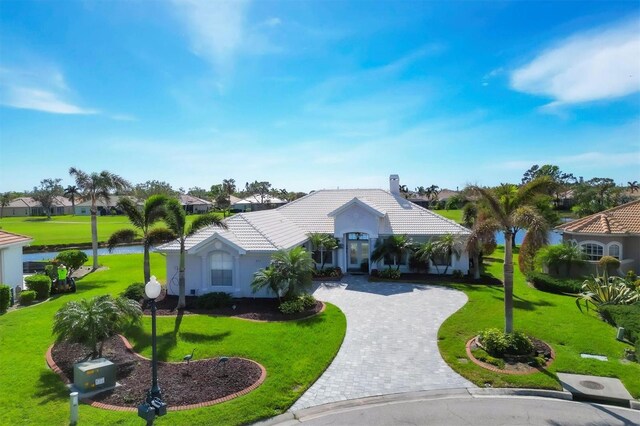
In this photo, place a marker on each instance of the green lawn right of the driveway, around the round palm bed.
(550, 317)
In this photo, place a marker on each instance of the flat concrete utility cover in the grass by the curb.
(594, 387)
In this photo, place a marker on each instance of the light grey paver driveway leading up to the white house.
(391, 341)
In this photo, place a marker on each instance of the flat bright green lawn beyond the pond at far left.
(66, 229)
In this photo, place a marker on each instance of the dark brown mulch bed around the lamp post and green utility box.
(181, 383)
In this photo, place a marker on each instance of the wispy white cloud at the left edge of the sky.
(40, 89)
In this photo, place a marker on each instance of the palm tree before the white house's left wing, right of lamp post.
(176, 220)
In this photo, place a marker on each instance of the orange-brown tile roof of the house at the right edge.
(624, 219)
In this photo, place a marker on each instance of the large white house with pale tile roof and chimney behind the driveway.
(225, 260)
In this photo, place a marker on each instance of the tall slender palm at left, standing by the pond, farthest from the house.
(96, 186)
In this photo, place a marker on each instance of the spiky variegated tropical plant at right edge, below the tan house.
(605, 290)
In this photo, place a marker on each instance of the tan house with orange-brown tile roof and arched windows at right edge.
(614, 232)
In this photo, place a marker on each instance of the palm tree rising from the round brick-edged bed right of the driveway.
(511, 208)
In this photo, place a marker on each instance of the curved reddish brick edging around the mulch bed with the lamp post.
(263, 375)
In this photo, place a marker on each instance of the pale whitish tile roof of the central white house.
(288, 225)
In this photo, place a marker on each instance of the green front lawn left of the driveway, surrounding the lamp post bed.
(294, 354)
